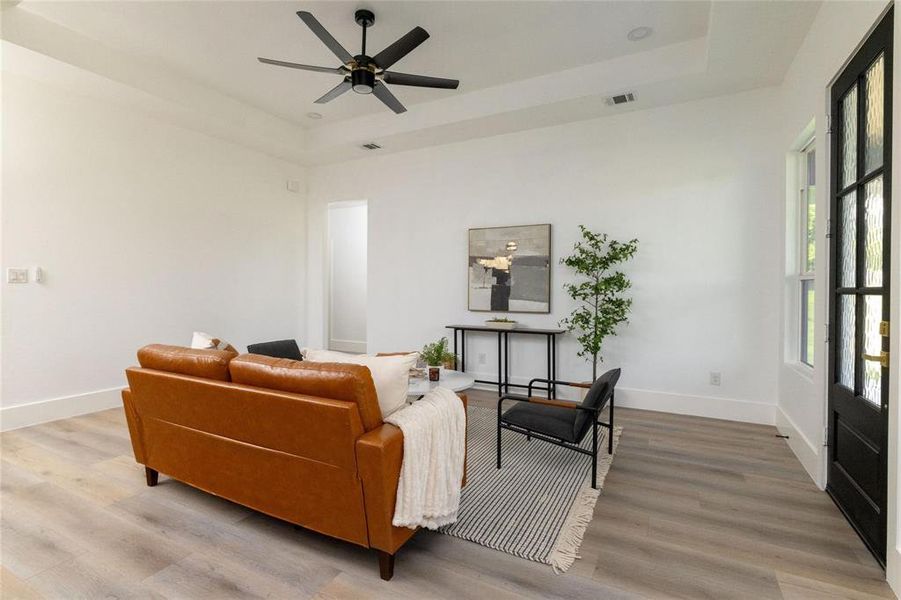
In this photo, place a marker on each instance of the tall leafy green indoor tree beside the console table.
(602, 304)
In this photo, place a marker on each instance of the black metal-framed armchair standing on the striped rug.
(560, 422)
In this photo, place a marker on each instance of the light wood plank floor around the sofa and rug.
(692, 508)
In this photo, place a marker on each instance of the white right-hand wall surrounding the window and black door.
(838, 29)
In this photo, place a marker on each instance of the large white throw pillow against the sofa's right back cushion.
(390, 374)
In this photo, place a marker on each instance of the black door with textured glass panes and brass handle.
(860, 197)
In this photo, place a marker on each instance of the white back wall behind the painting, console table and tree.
(694, 183)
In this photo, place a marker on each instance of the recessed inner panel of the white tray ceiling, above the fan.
(481, 43)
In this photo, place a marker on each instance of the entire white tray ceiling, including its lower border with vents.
(521, 64)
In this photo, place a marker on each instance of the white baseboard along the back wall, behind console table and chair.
(683, 404)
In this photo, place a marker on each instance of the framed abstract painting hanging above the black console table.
(510, 269)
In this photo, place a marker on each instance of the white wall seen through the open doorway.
(347, 275)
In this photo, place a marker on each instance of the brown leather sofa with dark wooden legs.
(303, 442)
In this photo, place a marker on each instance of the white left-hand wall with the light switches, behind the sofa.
(146, 232)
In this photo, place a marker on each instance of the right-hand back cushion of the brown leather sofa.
(346, 382)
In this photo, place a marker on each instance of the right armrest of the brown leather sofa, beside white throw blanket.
(380, 454)
